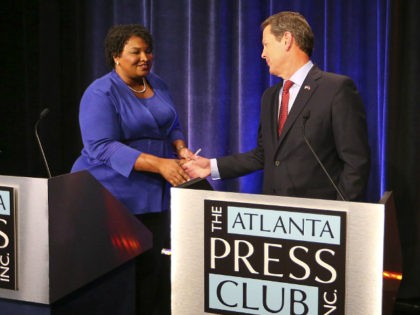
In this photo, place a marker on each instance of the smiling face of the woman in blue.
(135, 60)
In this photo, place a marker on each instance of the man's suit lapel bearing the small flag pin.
(308, 87)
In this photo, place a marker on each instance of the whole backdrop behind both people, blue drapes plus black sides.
(209, 54)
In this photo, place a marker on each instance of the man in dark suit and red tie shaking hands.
(325, 108)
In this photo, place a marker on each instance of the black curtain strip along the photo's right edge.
(404, 137)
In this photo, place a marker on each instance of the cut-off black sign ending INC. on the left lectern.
(7, 239)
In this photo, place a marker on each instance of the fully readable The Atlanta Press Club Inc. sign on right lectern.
(273, 260)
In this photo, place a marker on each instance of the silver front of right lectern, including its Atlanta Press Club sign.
(247, 270)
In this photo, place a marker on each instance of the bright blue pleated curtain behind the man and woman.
(209, 53)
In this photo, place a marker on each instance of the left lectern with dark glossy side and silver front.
(59, 235)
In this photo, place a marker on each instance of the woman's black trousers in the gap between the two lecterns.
(153, 271)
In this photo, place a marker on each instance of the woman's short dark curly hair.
(118, 36)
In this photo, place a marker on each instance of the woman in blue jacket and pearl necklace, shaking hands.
(130, 131)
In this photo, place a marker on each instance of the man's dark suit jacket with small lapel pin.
(335, 127)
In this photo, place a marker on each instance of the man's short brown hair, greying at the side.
(294, 23)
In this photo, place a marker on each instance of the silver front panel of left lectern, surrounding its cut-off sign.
(31, 238)
